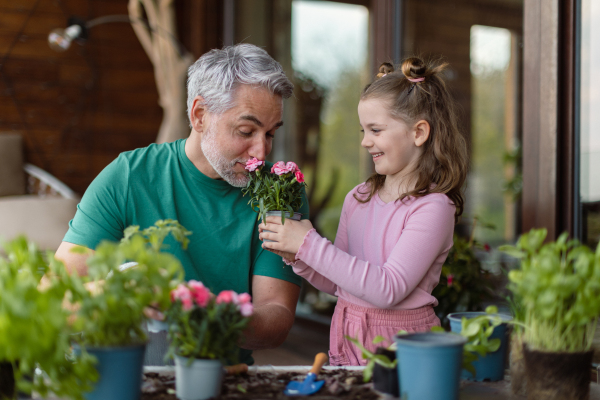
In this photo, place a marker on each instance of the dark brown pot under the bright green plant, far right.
(557, 376)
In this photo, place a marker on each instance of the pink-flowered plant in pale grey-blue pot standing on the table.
(204, 332)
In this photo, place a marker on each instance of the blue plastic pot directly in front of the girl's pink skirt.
(429, 365)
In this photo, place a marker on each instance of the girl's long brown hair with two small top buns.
(442, 167)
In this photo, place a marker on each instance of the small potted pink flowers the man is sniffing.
(278, 192)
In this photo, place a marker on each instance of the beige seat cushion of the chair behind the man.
(44, 220)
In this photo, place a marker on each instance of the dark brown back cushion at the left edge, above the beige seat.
(12, 175)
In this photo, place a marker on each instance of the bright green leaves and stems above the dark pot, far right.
(558, 288)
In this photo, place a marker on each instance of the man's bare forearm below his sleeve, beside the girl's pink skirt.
(274, 303)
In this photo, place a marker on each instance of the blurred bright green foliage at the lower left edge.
(34, 328)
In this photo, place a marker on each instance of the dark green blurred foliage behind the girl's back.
(464, 284)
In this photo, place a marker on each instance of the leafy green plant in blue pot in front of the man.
(111, 316)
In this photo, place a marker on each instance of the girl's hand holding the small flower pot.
(287, 237)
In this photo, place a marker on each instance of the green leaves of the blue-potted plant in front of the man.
(113, 315)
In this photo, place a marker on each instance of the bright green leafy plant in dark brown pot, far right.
(558, 286)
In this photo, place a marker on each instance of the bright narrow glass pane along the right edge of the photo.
(590, 123)
